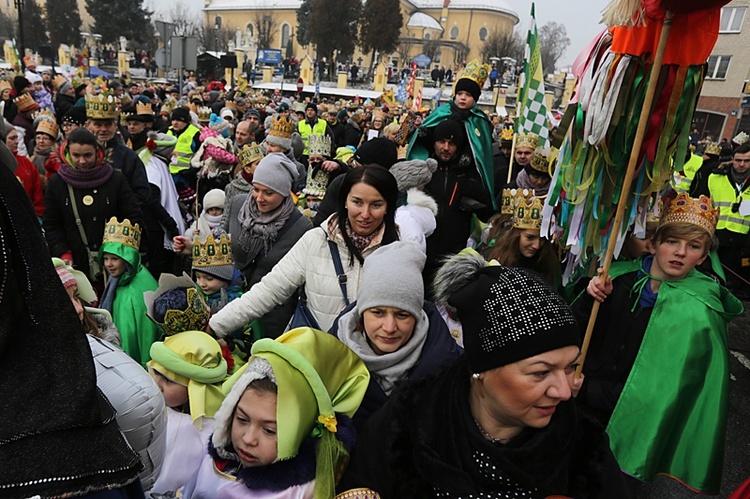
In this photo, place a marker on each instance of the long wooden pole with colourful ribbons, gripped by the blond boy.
(629, 174)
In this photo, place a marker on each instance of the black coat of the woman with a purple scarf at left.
(114, 198)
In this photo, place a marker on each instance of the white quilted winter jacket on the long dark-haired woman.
(308, 263)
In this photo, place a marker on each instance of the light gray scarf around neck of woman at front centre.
(390, 368)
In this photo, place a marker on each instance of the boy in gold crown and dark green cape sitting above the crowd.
(477, 127)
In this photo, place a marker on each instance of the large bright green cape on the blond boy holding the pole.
(671, 415)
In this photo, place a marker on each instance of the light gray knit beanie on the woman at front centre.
(392, 277)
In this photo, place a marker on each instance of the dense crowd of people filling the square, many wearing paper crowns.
(296, 298)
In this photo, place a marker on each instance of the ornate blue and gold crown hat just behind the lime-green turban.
(195, 315)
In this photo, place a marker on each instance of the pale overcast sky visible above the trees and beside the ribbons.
(580, 17)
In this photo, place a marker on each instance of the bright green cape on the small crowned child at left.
(129, 308)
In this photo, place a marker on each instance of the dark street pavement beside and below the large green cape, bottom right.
(737, 454)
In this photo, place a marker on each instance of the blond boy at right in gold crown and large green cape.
(657, 370)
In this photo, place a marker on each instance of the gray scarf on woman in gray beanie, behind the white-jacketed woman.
(259, 230)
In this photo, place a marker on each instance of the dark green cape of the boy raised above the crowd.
(479, 133)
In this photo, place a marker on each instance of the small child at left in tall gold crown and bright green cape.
(126, 282)
